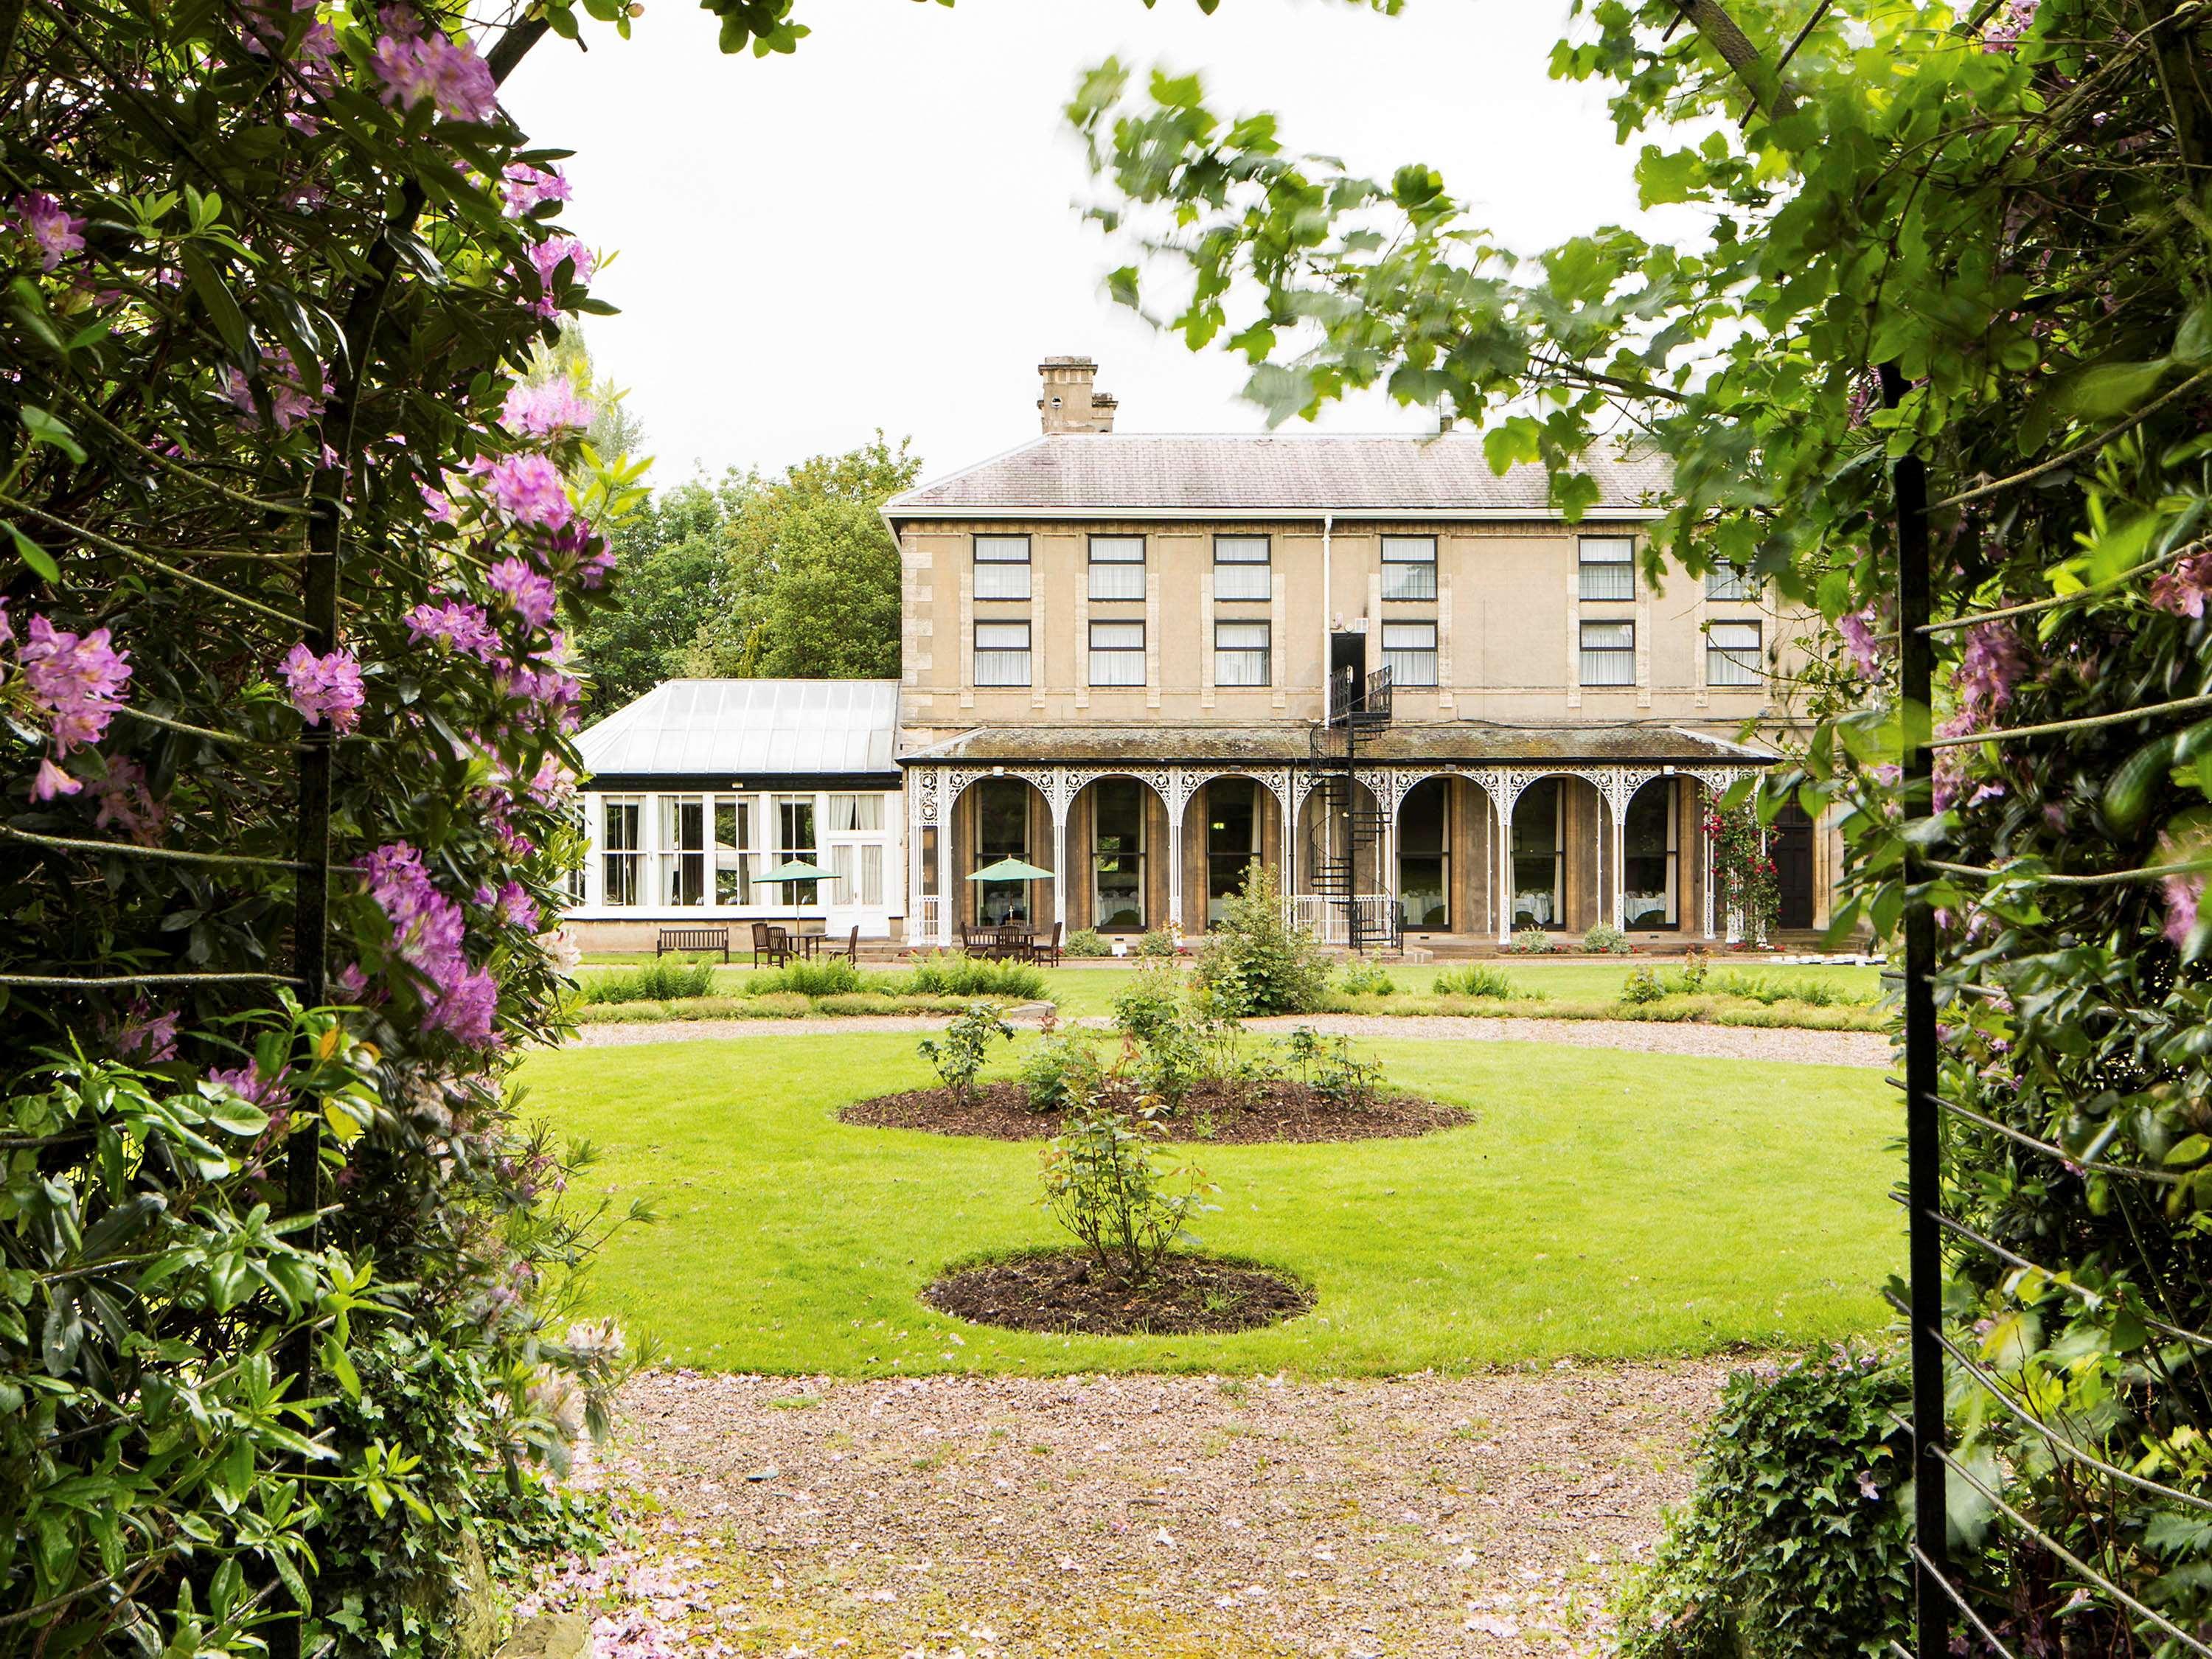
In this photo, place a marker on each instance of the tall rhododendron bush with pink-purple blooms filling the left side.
(286, 811)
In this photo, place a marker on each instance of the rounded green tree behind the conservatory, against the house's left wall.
(813, 572)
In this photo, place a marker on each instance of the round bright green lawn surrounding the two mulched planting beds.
(1605, 1204)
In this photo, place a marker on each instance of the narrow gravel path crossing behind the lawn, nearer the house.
(1638, 1036)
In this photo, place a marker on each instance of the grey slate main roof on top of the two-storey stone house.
(1258, 477)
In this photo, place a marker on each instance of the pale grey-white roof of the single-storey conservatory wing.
(749, 729)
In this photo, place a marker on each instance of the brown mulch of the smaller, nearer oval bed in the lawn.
(1067, 1293)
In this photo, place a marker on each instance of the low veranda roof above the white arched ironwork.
(1430, 742)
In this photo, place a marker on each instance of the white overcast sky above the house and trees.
(881, 231)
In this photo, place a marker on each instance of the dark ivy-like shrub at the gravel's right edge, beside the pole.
(1795, 1543)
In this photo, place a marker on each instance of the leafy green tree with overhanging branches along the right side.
(1948, 302)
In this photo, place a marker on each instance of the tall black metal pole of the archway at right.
(1923, 1125)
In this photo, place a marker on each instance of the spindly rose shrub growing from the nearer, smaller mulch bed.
(1107, 1185)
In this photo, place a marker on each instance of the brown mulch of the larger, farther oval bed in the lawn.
(1284, 1112)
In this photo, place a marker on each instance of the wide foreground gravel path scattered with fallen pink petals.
(1147, 1516)
